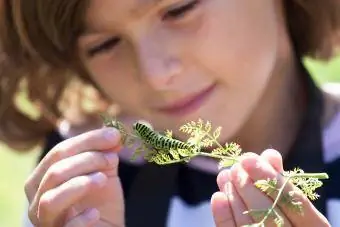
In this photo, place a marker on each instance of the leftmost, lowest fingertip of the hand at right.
(222, 211)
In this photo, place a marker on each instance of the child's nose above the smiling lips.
(157, 63)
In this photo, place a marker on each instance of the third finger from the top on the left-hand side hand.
(56, 201)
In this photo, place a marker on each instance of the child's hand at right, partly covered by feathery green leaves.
(238, 194)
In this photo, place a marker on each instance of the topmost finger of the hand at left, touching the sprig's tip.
(100, 139)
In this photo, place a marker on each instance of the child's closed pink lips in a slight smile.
(189, 103)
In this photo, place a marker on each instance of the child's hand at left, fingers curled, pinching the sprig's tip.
(77, 183)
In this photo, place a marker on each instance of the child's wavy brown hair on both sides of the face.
(38, 51)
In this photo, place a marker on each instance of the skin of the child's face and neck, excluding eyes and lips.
(159, 56)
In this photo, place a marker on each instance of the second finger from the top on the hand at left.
(80, 164)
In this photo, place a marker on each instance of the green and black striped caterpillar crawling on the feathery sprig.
(157, 140)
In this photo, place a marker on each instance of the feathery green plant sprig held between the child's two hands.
(228, 155)
